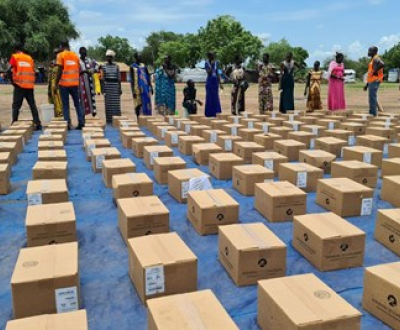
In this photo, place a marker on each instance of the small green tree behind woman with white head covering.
(121, 46)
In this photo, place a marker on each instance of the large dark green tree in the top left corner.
(40, 25)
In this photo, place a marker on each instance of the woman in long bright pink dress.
(336, 97)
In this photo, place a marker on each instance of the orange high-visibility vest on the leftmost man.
(24, 72)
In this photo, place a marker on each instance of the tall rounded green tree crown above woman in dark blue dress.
(228, 38)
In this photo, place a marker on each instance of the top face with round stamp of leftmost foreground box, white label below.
(46, 262)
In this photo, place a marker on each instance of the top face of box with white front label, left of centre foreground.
(161, 249)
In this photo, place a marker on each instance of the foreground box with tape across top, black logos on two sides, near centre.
(251, 252)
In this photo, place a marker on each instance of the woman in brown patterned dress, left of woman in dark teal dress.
(265, 77)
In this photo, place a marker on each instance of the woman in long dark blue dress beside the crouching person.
(213, 83)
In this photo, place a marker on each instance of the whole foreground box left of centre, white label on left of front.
(161, 265)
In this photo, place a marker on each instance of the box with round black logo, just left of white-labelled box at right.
(280, 201)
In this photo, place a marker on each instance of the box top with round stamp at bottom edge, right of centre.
(307, 300)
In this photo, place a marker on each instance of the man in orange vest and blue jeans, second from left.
(68, 82)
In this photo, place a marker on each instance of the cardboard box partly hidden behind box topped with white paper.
(178, 182)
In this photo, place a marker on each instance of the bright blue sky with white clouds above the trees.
(320, 26)
